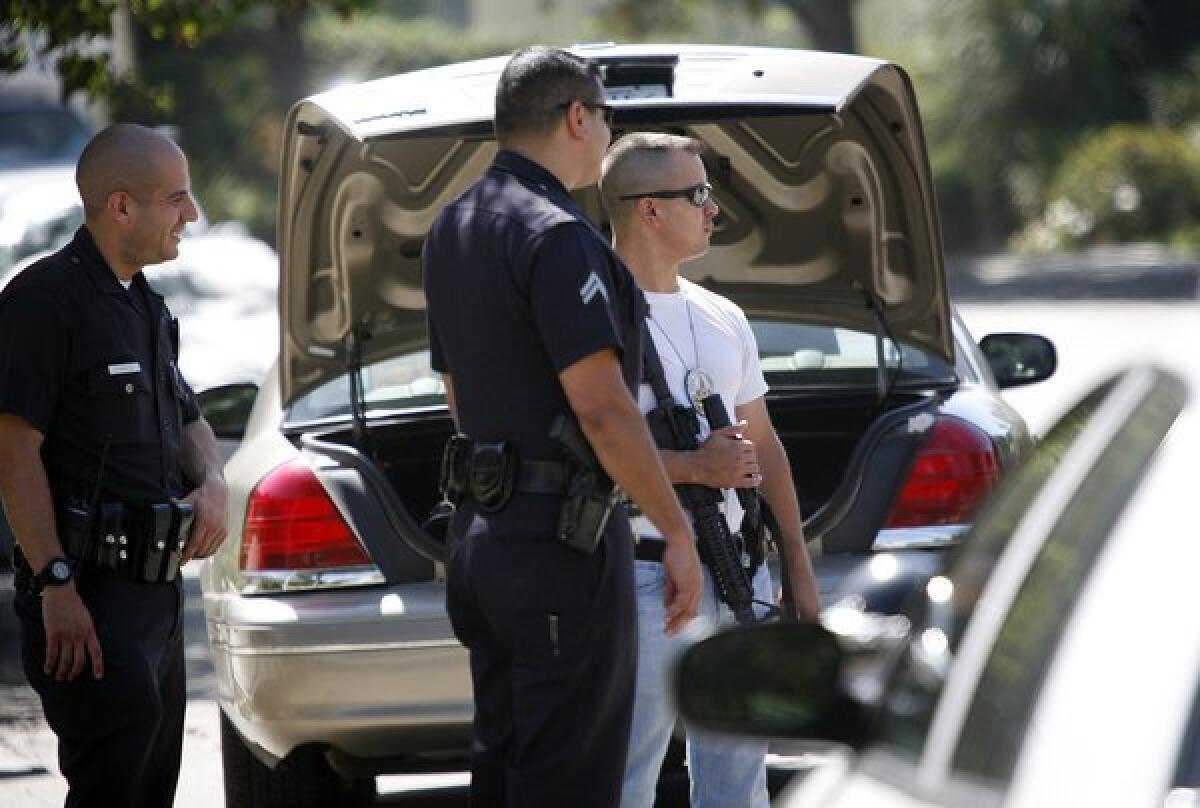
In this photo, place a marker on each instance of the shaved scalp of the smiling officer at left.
(122, 158)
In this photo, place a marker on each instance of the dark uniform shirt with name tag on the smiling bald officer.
(89, 363)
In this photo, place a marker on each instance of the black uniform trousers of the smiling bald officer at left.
(119, 738)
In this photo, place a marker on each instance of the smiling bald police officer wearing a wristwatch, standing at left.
(110, 476)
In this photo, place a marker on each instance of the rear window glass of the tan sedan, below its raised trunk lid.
(793, 355)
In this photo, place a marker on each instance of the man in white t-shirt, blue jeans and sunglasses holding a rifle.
(656, 190)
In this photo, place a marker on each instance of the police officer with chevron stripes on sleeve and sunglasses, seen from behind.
(532, 319)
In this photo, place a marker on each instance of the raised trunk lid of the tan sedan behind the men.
(818, 163)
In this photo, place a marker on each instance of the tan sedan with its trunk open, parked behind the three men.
(326, 607)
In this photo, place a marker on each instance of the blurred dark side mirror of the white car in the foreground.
(775, 680)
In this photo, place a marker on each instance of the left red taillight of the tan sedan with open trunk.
(292, 524)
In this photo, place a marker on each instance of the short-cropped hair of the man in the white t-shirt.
(640, 163)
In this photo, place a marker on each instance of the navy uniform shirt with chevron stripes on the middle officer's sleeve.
(520, 286)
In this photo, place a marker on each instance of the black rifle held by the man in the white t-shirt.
(679, 428)
